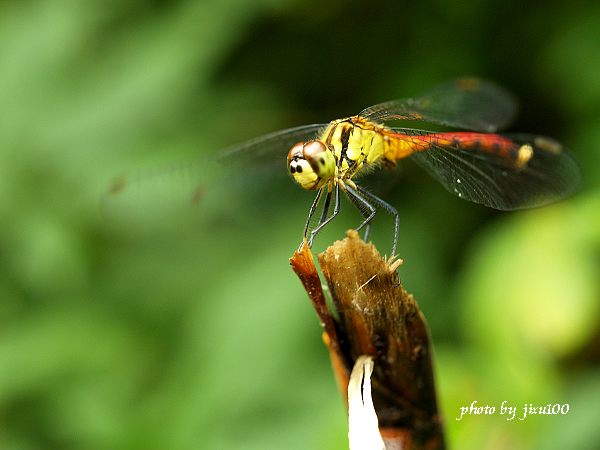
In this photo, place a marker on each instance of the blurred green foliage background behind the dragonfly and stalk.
(186, 330)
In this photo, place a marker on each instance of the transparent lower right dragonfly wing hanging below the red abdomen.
(491, 180)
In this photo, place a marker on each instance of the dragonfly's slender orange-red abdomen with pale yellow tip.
(402, 144)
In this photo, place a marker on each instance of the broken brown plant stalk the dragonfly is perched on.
(373, 315)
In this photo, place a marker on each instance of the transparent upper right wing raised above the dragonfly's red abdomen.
(466, 103)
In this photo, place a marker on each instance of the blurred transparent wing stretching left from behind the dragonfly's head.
(238, 168)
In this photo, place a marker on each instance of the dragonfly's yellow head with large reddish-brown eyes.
(311, 164)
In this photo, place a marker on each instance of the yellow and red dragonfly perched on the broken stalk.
(473, 161)
